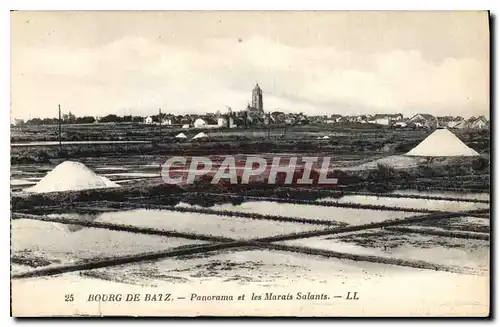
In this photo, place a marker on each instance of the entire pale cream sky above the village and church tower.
(98, 63)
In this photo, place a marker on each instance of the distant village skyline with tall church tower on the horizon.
(254, 116)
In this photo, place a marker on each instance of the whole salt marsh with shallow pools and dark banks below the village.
(427, 221)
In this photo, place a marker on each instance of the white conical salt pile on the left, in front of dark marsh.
(71, 176)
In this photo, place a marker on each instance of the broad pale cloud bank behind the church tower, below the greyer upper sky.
(139, 75)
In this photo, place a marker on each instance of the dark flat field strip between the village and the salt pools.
(365, 140)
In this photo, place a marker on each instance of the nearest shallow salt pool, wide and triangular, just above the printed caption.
(247, 266)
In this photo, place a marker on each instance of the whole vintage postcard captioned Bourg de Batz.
(250, 163)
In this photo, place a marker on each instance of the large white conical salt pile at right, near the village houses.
(442, 143)
